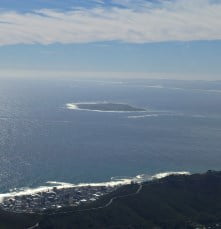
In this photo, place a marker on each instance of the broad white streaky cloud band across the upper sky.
(177, 20)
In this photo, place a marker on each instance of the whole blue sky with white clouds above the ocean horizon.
(178, 39)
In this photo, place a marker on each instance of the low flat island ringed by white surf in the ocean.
(104, 106)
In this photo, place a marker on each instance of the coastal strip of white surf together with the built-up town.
(60, 194)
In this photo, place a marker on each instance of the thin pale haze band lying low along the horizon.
(44, 74)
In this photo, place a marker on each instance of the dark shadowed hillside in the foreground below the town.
(176, 201)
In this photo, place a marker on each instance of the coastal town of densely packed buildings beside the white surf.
(54, 198)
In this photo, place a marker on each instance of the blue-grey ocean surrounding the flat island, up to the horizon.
(42, 139)
